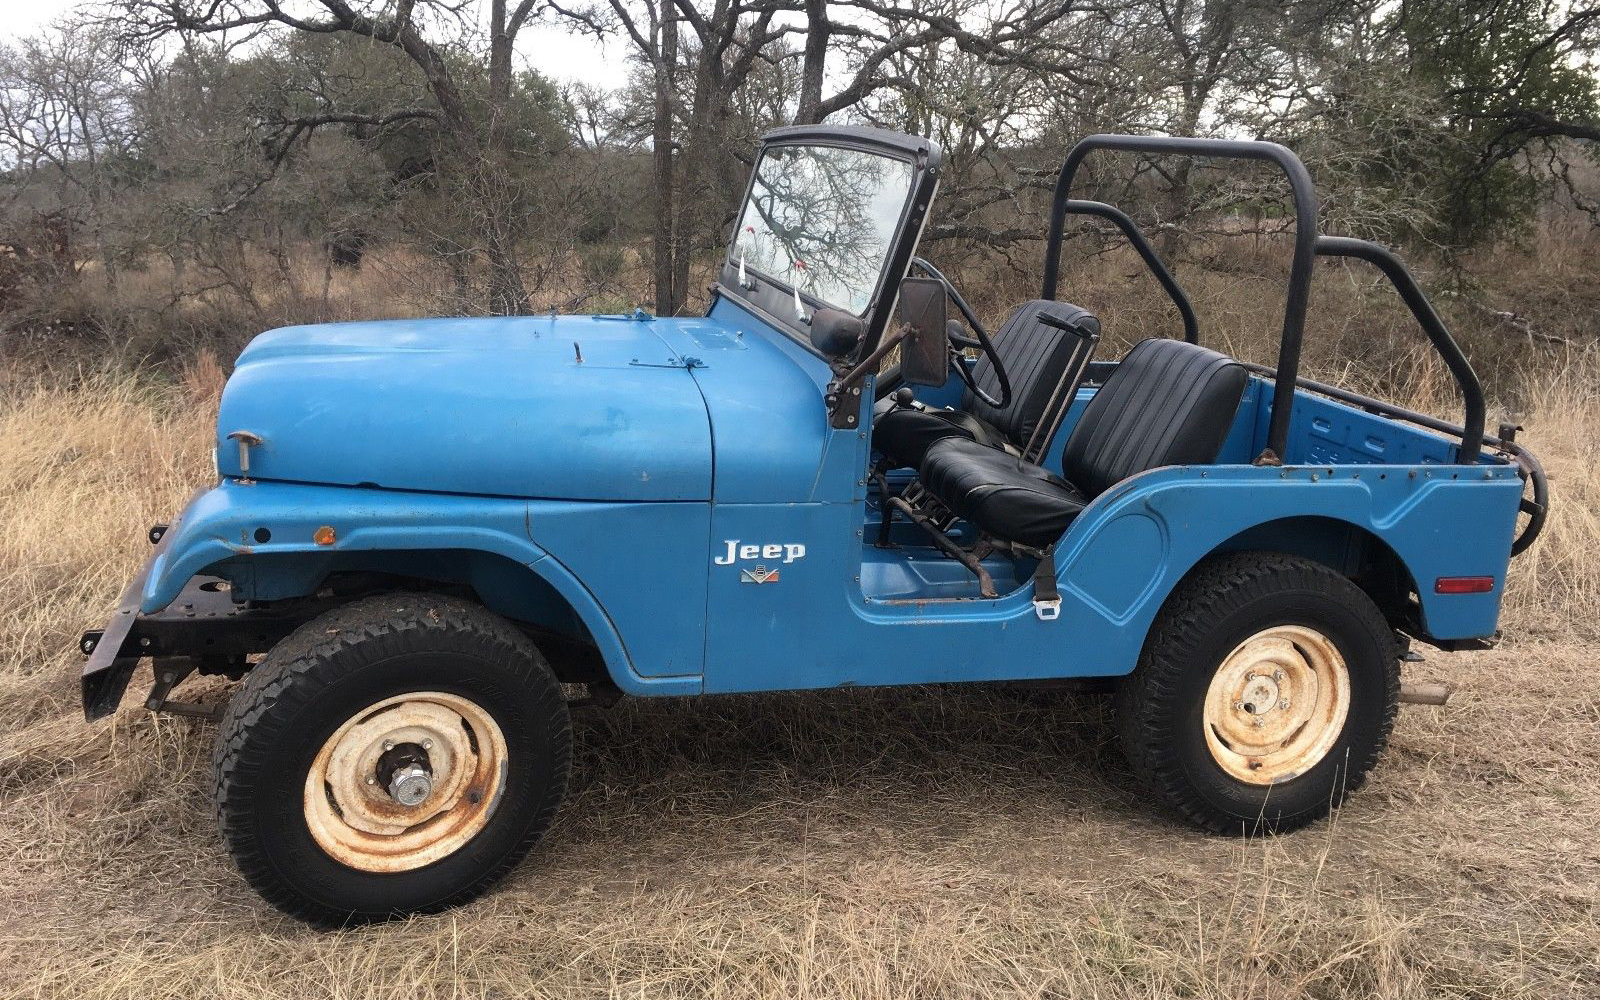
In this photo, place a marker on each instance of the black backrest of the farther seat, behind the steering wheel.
(1036, 356)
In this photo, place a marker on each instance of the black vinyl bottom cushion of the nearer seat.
(1001, 494)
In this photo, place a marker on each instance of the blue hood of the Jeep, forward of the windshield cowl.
(542, 407)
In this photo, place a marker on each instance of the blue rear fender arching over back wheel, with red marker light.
(1129, 550)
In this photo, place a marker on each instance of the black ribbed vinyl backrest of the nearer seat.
(1167, 404)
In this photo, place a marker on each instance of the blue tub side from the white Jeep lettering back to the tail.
(1116, 567)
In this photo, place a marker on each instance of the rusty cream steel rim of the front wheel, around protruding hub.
(351, 812)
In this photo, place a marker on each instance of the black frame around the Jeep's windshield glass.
(772, 298)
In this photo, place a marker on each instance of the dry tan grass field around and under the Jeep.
(932, 842)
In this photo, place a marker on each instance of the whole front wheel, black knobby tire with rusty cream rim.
(396, 756)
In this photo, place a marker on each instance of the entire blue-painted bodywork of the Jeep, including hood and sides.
(602, 498)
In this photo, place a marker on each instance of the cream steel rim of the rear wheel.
(1278, 705)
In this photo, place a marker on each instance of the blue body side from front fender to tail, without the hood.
(670, 580)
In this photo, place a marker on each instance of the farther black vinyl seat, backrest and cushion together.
(1034, 356)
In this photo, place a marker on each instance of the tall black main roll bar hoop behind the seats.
(1305, 196)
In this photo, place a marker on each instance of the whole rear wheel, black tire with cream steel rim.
(1265, 695)
